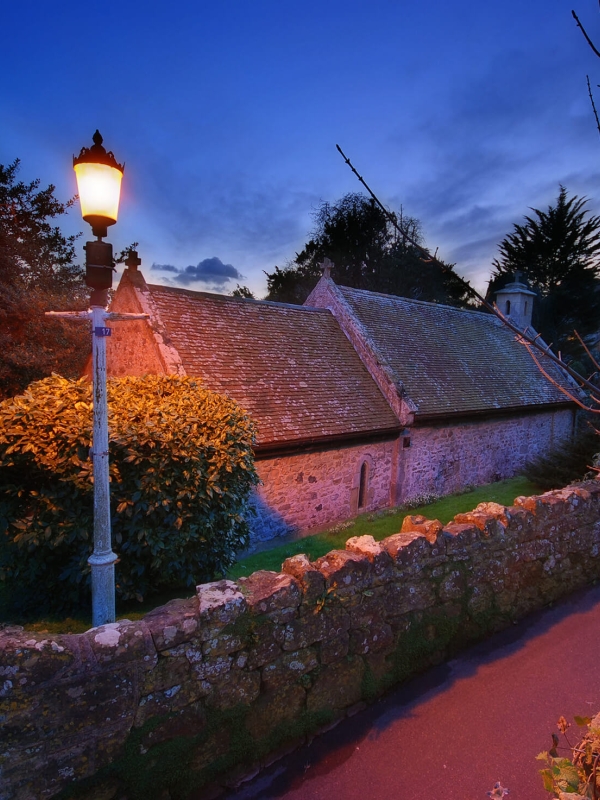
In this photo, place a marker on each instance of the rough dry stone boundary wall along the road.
(241, 671)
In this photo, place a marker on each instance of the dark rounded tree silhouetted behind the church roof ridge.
(368, 253)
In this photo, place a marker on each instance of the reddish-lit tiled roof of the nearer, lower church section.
(290, 367)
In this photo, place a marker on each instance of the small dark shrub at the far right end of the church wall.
(565, 463)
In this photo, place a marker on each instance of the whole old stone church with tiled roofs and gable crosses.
(362, 400)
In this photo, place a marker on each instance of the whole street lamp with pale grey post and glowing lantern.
(99, 182)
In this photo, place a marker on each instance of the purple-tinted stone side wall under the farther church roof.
(446, 458)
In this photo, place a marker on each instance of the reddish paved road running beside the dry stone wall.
(452, 733)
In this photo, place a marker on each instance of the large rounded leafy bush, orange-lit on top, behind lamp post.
(181, 470)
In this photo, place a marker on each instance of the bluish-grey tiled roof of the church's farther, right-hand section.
(452, 360)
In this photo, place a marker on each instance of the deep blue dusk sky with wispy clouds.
(227, 115)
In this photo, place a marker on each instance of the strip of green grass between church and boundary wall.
(379, 525)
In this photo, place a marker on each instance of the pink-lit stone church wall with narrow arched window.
(315, 489)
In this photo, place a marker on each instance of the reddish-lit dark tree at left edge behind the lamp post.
(37, 274)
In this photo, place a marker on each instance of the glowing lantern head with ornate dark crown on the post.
(99, 185)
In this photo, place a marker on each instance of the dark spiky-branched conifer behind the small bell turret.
(557, 251)
